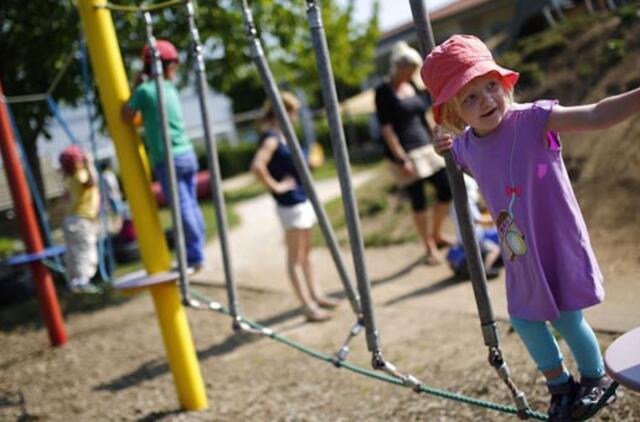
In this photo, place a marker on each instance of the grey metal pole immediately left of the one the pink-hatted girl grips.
(339, 144)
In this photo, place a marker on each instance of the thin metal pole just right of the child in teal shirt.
(214, 166)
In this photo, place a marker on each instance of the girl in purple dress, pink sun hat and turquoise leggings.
(514, 153)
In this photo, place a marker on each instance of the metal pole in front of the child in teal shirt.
(174, 201)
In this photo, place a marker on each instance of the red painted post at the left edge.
(29, 230)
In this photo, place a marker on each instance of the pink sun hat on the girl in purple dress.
(455, 63)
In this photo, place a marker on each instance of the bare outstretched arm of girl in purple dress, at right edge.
(601, 115)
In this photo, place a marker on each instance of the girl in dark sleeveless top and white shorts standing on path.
(273, 166)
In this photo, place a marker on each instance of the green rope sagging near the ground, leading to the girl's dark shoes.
(386, 378)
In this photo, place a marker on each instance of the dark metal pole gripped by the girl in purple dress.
(472, 251)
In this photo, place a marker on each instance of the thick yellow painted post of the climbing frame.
(113, 87)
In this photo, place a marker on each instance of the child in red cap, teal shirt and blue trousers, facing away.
(145, 101)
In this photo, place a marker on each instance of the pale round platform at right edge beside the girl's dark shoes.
(622, 360)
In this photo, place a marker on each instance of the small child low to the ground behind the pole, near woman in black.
(486, 234)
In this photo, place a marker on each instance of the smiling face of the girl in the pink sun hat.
(483, 103)
